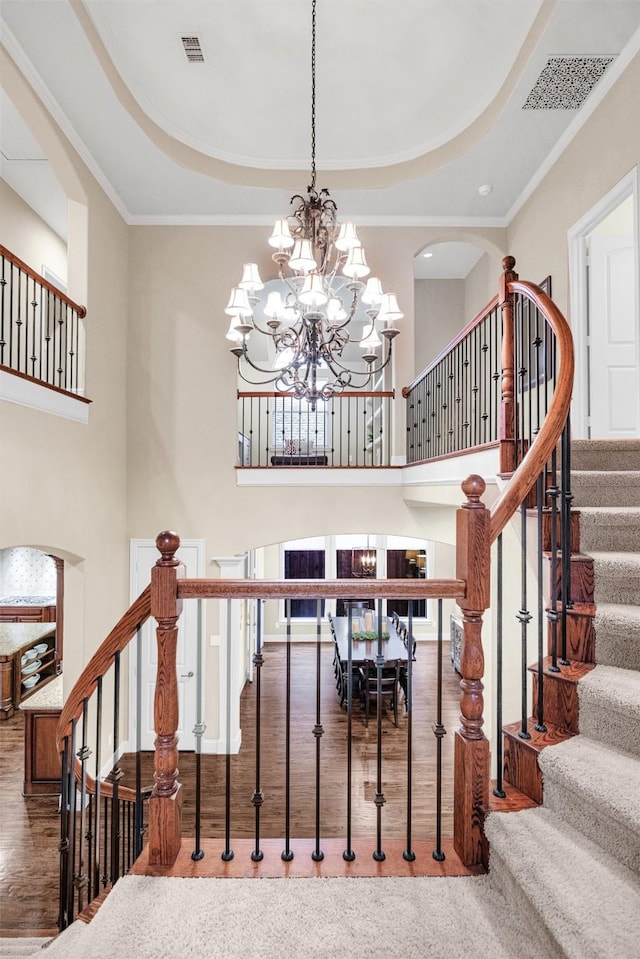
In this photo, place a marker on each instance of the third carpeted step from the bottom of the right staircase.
(609, 700)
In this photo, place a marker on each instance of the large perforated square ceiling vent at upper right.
(566, 82)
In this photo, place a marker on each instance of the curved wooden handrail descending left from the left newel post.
(117, 640)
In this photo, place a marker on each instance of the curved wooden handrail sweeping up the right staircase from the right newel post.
(538, 453)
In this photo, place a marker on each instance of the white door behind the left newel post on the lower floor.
(143, 557)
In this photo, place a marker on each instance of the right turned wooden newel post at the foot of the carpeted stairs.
(471, 764)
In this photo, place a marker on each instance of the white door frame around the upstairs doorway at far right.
(579, 294)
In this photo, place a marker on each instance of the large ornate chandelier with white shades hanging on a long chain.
(322, 269)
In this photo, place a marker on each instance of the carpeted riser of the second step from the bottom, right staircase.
(593, 822)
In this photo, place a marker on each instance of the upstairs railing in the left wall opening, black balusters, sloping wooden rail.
(41, 334)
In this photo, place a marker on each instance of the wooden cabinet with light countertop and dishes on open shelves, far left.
(27, 651)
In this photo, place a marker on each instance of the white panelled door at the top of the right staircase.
(614, 375)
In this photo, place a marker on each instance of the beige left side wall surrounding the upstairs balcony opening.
(63, 484)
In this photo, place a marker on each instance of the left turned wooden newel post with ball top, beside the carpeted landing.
(165, 804)
